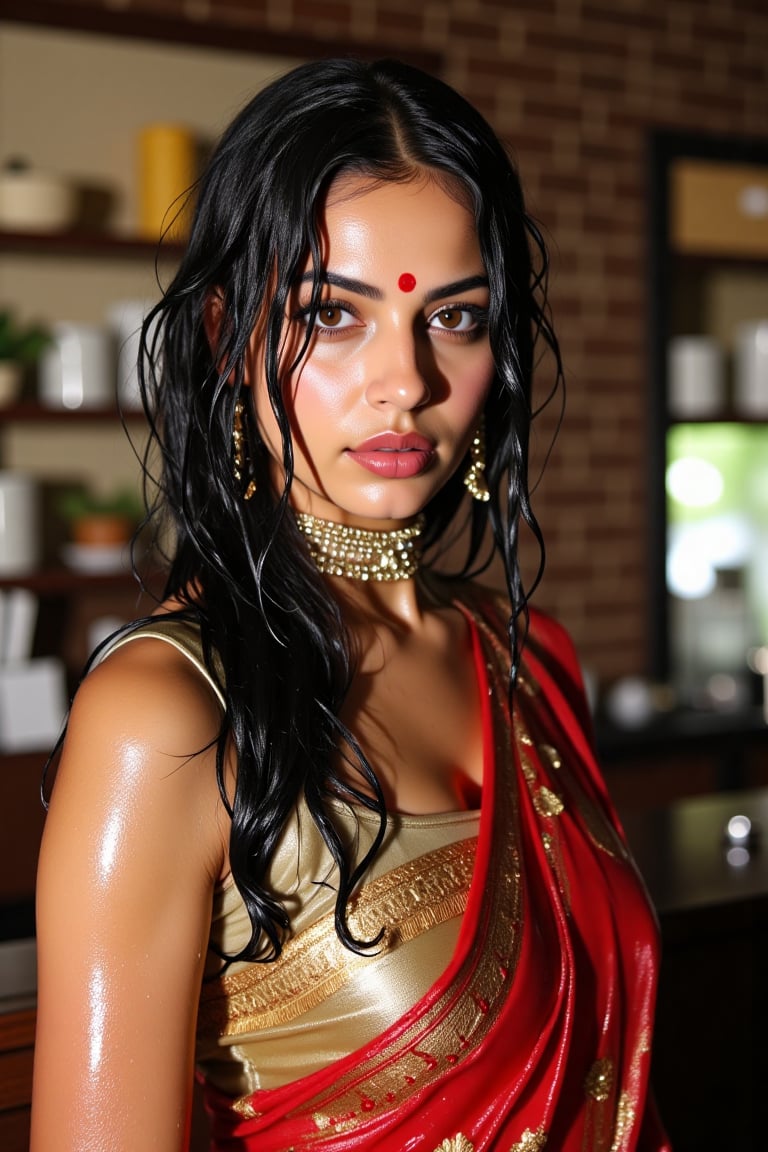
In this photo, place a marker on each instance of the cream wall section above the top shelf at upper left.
(75, 103)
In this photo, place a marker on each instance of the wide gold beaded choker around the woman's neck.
(361, 554)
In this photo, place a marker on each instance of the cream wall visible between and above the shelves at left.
(74, 104)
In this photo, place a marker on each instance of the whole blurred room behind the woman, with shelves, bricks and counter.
(641, 130)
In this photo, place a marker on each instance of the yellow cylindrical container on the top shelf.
(168, 163)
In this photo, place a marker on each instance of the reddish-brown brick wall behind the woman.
(574, 87)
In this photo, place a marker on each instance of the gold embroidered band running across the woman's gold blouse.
(409, 900)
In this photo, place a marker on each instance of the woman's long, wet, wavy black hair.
(241, 569)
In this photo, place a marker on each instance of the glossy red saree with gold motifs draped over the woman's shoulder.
(538, 1034)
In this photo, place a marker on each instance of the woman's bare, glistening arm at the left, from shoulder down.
(134, 844)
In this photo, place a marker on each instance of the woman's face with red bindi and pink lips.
(385, 403)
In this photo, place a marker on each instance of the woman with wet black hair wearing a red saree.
(329, 825)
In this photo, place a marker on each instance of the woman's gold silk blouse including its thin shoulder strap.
(262, 1026)
